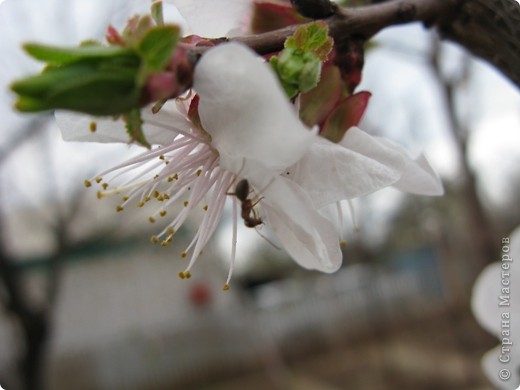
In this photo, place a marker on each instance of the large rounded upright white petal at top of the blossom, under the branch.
(246, 112)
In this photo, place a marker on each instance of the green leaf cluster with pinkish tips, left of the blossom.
(98, 79)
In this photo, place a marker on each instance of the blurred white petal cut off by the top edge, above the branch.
(213, 18)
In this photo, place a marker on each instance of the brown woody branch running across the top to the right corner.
(489, 29)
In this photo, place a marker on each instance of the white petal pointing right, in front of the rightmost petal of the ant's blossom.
(330, 172)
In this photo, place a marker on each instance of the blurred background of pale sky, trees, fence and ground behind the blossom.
(89, 303)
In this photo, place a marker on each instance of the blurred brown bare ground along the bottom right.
(439, 352)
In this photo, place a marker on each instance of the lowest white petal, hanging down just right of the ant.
(310, 239)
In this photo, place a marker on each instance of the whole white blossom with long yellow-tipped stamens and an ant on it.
(251, 132)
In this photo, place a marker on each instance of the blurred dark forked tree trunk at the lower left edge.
(33, 320)
